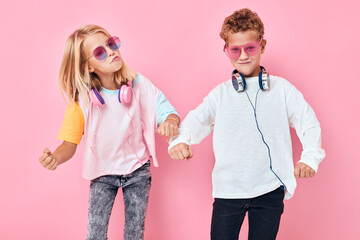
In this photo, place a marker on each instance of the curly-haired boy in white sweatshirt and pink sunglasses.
(254, 168)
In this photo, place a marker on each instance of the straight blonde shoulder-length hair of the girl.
(74, 76)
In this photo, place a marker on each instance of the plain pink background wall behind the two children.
(314, 44)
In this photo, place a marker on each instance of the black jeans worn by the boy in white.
(264, 214)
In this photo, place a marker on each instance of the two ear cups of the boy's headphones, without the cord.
(239, 81)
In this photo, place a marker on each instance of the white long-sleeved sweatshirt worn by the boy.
(242, 163)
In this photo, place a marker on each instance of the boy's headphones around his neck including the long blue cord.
(239, 83)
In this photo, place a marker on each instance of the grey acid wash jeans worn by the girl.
(103, 190)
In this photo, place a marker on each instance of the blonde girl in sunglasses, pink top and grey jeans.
(116, 110)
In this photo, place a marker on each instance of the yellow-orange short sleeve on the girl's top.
(73, 124)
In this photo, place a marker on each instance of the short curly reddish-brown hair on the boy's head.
(242, 20)
